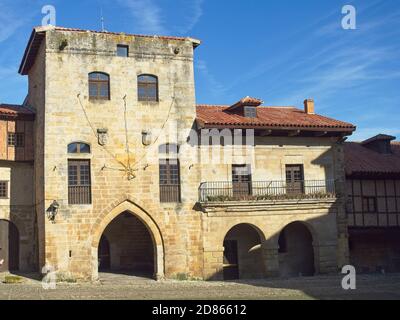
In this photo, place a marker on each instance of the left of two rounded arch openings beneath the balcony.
(243, 258)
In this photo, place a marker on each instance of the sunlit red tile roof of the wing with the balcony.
(267, 117)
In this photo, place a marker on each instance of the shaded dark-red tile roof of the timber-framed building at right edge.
(360, 160)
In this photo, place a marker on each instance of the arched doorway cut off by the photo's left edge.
(9, 246)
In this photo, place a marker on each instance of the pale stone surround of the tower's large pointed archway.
(154, 231)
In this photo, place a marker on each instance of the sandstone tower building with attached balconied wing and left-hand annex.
(120, 171)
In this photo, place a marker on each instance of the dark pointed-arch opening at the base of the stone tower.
(126, 246)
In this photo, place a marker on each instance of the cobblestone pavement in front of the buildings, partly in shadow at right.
(133, 288)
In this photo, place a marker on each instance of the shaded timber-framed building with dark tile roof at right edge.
(373, 184)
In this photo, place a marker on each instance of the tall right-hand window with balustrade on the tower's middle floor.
(170, 185)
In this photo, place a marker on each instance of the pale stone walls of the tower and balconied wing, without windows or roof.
(187, 237)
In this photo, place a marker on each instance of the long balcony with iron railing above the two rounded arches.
(226, 191)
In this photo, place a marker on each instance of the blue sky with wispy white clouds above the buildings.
(280, 51)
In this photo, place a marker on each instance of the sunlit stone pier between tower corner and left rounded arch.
(213, 263)
